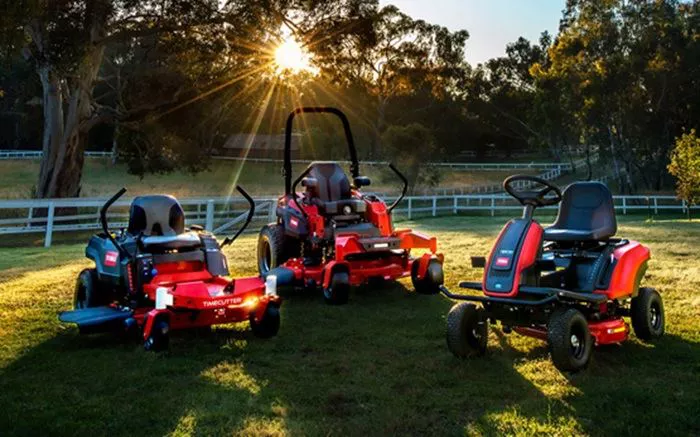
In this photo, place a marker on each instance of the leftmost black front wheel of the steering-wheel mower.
(467, 330)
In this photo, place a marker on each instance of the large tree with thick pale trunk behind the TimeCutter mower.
(66, 43)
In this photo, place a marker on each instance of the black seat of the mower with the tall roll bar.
(333, 193)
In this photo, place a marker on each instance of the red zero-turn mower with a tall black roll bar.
(334, 236)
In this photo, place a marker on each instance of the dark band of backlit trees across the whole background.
(167, 82)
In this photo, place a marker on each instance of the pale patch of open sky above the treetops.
(491, 23)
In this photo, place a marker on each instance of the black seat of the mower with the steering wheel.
(586, 213)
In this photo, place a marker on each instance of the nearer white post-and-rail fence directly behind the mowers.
(222, 214)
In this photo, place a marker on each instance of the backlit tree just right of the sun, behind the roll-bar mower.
(388, 54)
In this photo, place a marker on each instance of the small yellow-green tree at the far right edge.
(685, 167)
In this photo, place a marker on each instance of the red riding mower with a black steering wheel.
(570, 284)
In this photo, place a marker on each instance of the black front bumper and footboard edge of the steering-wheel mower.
(549, 295)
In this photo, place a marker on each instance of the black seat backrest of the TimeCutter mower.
(157, 215)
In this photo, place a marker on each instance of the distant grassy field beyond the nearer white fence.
(100, 178)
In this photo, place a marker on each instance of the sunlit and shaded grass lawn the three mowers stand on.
(377, 366)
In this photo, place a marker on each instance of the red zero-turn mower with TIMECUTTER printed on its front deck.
(156, 276)
